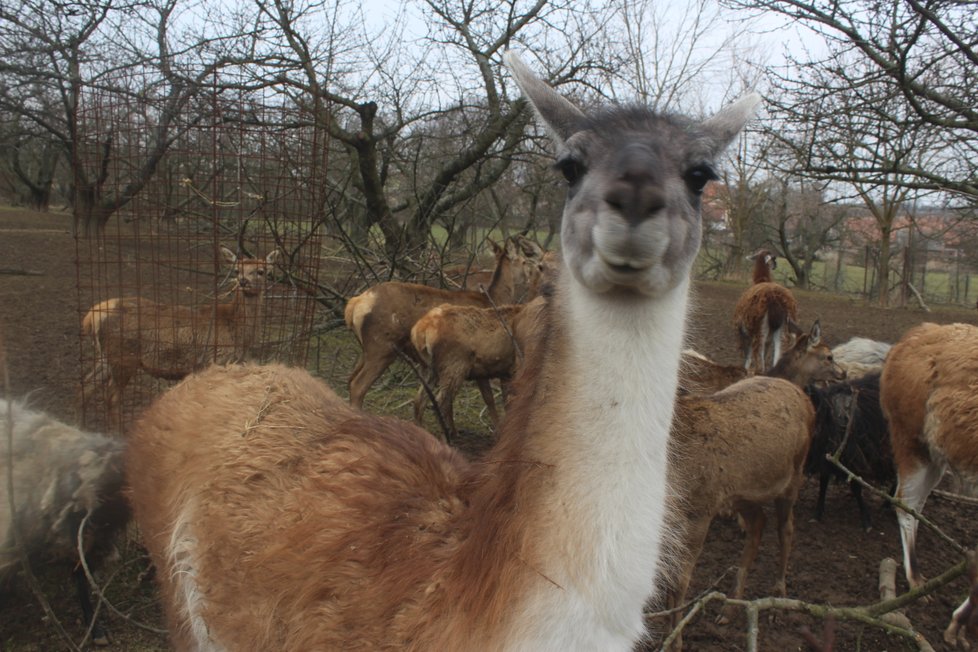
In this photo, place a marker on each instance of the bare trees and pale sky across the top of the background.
(426, 134)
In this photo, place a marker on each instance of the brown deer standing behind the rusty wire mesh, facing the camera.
(169, 341)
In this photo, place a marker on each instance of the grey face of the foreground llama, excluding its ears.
(632, 218)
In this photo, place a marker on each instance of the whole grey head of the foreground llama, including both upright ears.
(632, 216)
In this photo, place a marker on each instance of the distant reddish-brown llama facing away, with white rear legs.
(764, 314)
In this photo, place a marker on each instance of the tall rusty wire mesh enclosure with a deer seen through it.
(214, 259)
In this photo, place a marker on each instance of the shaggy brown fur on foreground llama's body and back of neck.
(203, 458)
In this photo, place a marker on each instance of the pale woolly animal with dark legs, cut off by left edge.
(61, 475)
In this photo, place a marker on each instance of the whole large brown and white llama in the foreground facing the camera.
(282, 518)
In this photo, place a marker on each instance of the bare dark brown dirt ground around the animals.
(834, 562)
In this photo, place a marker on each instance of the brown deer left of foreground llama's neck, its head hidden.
(459, 343)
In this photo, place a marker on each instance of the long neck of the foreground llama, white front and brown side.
(594, 485)
